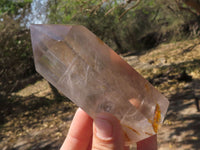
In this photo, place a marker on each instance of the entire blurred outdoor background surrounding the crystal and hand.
(159, 38)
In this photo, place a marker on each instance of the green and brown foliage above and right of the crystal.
(151, 22)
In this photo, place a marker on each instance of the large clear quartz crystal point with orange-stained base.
(95, 78)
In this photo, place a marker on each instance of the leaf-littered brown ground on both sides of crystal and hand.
(31, 118)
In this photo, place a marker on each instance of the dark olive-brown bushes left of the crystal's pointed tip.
(15, 46)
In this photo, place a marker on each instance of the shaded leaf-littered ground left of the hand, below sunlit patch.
(33, 122)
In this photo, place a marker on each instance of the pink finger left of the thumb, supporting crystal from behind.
(80, 132)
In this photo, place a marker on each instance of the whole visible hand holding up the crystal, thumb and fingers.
(102, 133)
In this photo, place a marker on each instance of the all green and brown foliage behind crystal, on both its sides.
(141, 28)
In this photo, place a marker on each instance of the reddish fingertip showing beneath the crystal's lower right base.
(148, 143)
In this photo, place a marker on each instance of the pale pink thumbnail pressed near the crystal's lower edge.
(103, 128)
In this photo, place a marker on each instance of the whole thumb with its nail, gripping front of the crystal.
(107, 133)
